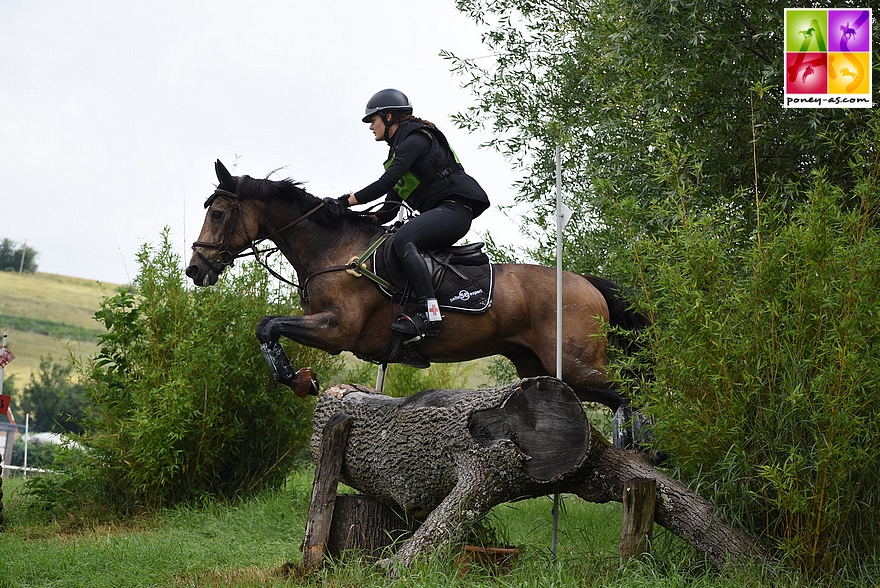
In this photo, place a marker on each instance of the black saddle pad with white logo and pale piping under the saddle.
(462, 275)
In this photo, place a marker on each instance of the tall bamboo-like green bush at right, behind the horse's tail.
(765, 363)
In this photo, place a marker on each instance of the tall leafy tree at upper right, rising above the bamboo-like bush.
(624, 85)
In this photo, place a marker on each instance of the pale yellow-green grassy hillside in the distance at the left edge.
(45, 314)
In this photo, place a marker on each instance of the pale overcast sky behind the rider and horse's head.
(113, 112)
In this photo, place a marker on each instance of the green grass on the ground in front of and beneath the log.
(246, 545)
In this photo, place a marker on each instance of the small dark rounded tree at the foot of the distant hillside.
(54, 402)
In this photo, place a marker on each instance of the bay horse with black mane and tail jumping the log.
(346, 313)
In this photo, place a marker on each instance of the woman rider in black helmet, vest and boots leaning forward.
(422, 170)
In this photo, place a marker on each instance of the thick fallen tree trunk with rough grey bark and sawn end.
(451, 455)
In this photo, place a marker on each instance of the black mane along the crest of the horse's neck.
(330, 215)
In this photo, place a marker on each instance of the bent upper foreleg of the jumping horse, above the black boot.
(321, 330)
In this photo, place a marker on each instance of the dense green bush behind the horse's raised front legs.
(183, 405)
